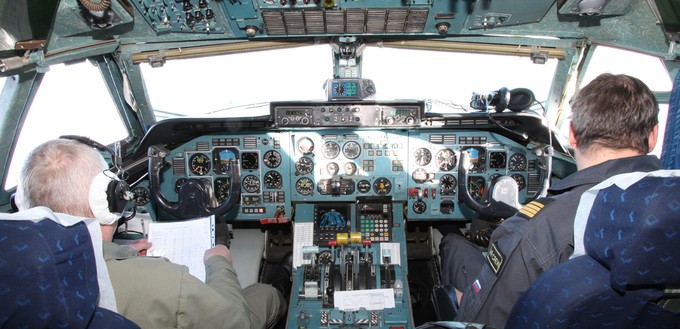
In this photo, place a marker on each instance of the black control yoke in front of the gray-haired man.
(195, 197)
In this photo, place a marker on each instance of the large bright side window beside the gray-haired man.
(71, 100)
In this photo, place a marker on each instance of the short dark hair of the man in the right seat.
(614, 111)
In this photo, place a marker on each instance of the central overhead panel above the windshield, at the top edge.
(285, 18)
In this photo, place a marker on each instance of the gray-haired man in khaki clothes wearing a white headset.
(71, 177)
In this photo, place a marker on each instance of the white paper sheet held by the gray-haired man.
(183, 242)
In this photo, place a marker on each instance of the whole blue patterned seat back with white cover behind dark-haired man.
(632, 252)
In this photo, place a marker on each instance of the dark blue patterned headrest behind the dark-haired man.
(634, 232)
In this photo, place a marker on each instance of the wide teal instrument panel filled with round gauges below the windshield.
(415, 167)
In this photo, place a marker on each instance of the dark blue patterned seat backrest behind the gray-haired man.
(48, 278)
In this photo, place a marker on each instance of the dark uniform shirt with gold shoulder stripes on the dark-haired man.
(538, 237)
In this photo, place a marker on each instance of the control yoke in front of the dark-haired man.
(503, 191)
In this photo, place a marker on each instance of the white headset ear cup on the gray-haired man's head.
(99, 197)
